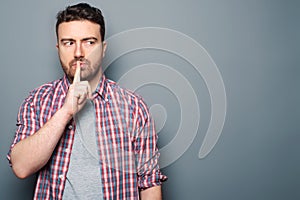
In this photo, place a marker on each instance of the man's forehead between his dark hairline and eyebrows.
(78, 29)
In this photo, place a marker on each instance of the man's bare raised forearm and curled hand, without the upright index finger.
(32, 153)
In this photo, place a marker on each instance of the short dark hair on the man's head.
(81, 11)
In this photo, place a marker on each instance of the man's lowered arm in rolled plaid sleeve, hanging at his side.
(150, 177)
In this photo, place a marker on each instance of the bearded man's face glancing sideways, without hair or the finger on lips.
(81, 40)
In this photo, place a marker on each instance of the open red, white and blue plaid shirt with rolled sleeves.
(126, 140)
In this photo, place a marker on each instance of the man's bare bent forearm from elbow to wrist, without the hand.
(31, 154)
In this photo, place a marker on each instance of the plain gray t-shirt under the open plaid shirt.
(84, 177)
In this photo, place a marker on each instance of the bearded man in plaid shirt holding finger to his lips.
(85, 136)
